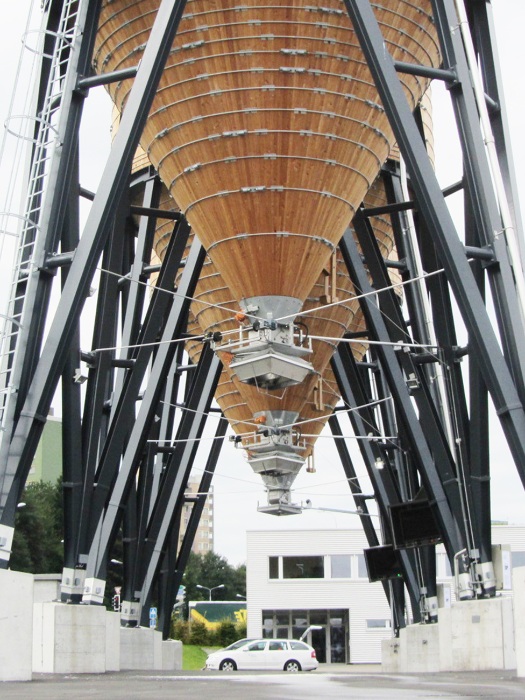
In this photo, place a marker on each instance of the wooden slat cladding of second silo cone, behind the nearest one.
(315, 398)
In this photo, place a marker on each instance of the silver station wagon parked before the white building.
(265, 655)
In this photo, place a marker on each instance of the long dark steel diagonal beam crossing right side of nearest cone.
(432, 206)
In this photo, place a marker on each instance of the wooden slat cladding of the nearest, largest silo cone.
(267, 128)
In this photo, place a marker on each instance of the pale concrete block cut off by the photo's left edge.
(16, 625)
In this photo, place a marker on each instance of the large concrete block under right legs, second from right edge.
(477, 635)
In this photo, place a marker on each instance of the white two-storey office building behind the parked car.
(297, 578)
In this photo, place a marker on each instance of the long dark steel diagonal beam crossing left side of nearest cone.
(28, 429)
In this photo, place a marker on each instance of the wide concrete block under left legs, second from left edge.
(74, 639)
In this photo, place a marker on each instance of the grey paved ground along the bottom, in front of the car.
(327, 682)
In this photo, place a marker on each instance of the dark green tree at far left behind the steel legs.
(38, 537)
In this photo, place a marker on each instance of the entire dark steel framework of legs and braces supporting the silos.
(103, 431)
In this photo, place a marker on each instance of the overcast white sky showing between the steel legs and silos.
(237, 490)
